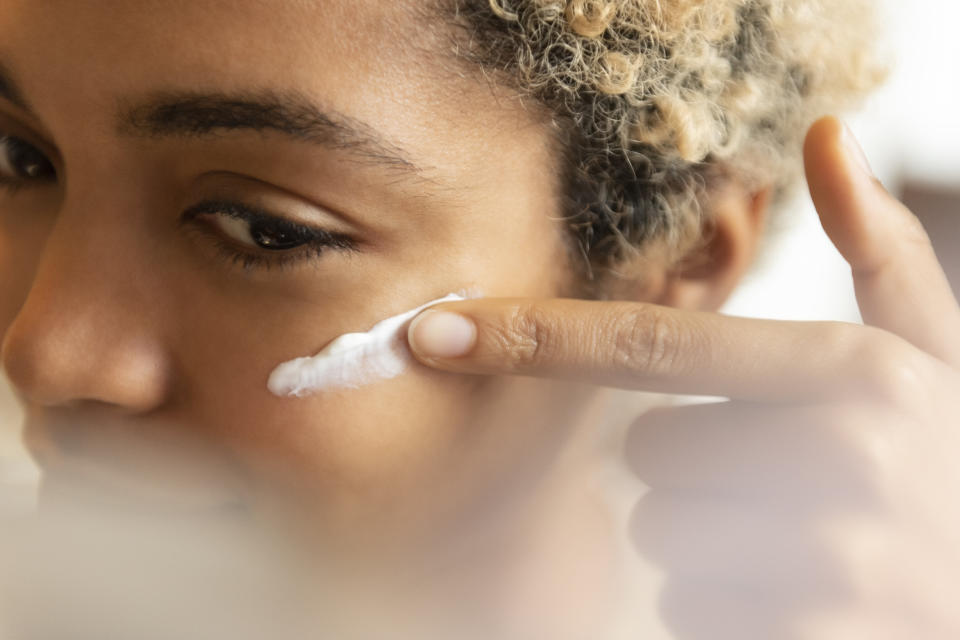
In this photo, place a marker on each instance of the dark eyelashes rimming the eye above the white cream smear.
(317, 241)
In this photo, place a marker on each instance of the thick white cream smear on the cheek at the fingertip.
(352, 360)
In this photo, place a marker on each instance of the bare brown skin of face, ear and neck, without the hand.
(140, 351)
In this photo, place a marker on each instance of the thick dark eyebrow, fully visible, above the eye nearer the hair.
(197, 115)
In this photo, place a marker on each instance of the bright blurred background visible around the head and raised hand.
(911, 133)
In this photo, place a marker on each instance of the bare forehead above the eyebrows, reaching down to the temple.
(385, 63)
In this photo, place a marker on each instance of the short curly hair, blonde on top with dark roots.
(654, 101)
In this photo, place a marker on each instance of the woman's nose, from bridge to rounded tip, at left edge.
(88, 330)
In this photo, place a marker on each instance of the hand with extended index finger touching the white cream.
(823, 500)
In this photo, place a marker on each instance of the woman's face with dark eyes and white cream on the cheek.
(140, 313)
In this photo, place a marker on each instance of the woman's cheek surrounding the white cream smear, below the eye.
(399, 451)
